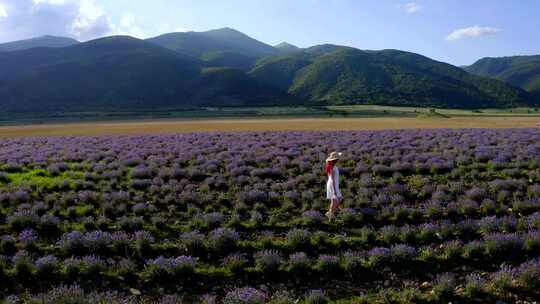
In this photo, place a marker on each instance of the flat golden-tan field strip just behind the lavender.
(266, 124)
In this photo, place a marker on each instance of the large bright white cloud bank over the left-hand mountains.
(80, 19)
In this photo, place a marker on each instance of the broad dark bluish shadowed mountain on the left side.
(117, 73)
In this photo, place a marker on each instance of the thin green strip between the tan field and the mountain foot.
(351, 111)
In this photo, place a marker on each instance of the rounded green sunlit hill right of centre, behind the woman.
(332, 74)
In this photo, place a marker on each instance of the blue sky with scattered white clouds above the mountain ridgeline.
(454, 31)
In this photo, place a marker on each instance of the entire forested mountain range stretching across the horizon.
(228, 68)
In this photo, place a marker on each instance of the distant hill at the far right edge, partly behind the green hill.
(520, 71)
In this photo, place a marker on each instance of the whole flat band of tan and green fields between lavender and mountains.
(353, 117)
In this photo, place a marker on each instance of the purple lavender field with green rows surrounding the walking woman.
(430, 216)
